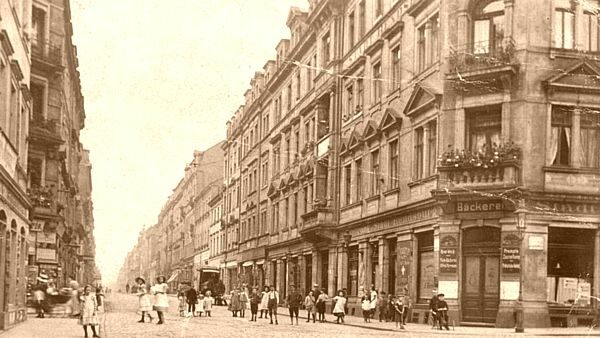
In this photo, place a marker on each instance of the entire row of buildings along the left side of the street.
(46, 211)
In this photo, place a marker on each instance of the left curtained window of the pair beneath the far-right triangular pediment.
(560, 137)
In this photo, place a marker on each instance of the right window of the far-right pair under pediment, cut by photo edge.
(590, 139)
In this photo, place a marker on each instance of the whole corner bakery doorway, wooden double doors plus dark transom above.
(481, 274)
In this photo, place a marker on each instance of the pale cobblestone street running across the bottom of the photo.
(120, 320)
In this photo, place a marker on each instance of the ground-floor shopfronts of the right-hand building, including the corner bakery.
(479, 252)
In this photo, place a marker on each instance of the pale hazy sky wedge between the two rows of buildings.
(160, 79)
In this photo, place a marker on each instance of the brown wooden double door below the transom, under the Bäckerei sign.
(481, 288)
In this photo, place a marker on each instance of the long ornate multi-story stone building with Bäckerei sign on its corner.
(419, 146)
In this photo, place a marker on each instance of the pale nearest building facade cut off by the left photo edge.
(15, 108)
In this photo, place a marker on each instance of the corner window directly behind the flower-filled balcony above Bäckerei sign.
(484, 128)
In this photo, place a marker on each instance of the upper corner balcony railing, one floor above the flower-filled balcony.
(481, 55)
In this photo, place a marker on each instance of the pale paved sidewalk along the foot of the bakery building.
(425, 329)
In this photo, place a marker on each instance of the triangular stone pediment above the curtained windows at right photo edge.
(583, 76)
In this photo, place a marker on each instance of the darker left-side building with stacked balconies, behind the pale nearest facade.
(59, 240)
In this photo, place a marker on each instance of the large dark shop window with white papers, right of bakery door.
(570, 266)
